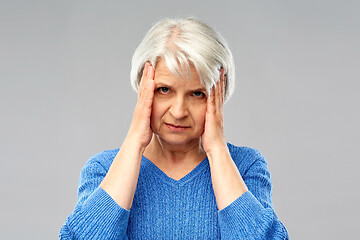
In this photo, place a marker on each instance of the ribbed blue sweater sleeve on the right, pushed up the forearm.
(252, 216)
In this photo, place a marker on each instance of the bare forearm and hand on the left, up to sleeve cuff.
(121, 180)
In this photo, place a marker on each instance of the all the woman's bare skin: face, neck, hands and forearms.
(175, 153)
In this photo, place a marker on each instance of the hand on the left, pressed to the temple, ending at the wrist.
(140, 130)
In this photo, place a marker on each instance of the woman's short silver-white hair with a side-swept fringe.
(183, 41)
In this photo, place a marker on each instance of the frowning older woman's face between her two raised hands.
(179, 106)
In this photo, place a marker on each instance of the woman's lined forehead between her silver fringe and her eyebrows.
(164, 75)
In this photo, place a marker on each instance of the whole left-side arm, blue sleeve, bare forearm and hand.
(105, 198)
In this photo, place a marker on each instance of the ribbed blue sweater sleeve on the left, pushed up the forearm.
(96, 215)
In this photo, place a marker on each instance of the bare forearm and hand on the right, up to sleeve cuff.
(227, 182)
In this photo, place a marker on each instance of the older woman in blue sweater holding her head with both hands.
(175, 176)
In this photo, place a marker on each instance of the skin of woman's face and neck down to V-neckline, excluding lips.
(182, 102)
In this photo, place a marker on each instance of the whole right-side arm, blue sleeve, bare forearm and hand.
(244, 202)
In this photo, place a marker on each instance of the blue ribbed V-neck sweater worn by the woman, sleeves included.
(164, 208)
